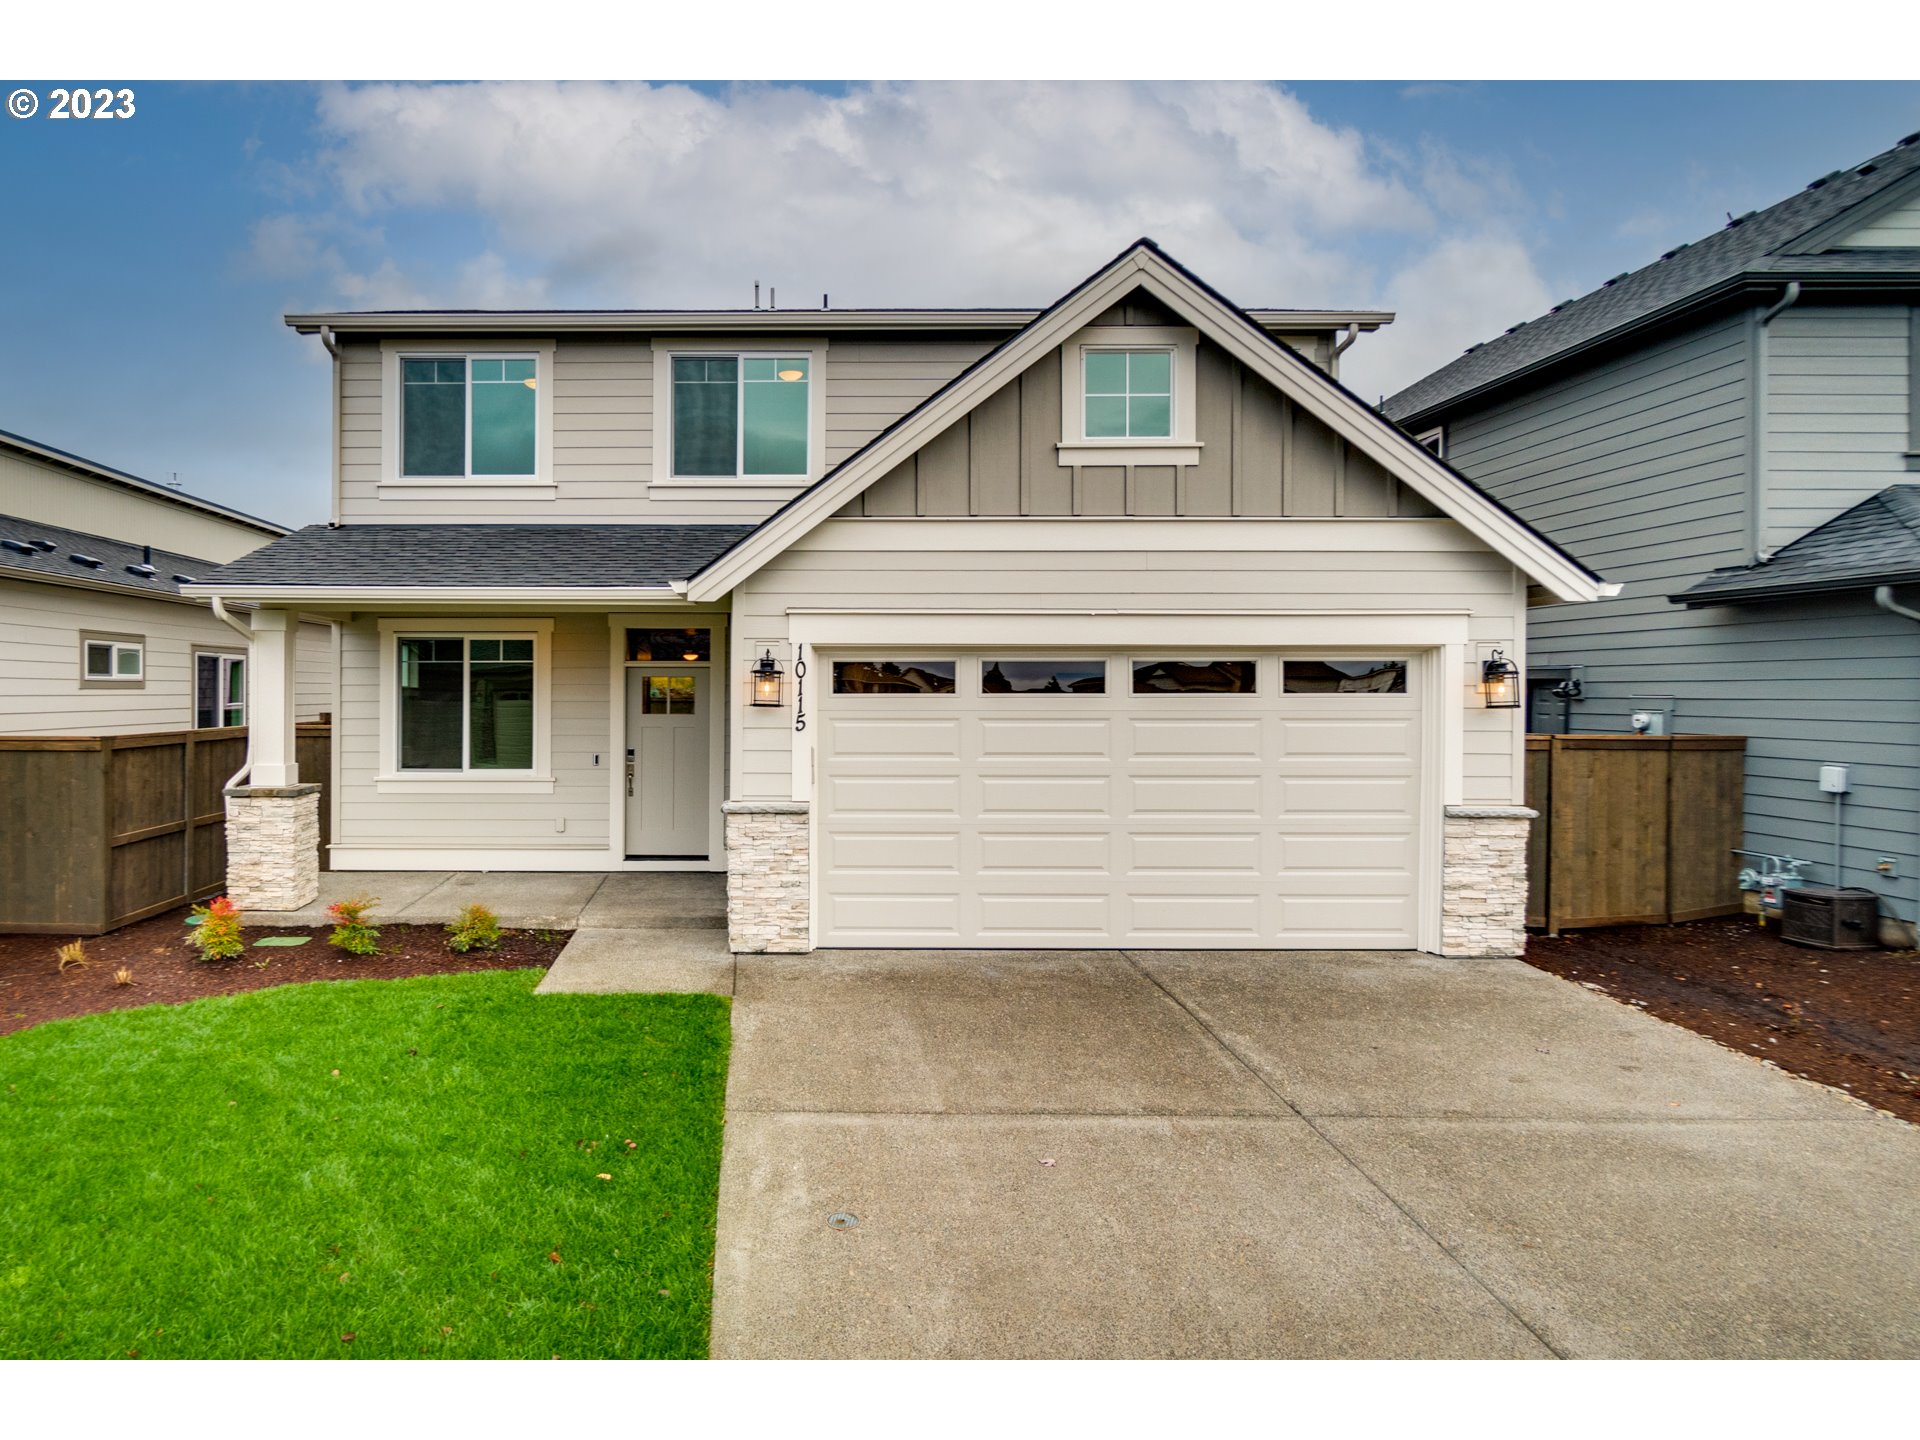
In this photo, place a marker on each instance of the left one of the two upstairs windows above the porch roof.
(469, 418)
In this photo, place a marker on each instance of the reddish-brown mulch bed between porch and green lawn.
(166, 969)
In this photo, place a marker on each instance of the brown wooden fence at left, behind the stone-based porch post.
(103, 830)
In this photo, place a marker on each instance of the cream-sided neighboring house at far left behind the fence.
(95, 633)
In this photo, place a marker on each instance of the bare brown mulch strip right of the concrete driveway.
(1846, 1019)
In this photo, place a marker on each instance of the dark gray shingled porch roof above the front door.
(483, 556)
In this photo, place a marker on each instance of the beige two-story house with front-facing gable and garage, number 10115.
(1109, 625)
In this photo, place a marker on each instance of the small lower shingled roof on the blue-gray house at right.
(1873, 544)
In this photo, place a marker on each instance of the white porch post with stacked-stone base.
(274, 823)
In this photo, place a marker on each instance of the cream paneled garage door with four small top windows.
(1124, 800)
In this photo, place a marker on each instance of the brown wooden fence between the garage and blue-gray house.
(1633, 828)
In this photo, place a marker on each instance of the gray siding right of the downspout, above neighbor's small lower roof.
(1836, 414)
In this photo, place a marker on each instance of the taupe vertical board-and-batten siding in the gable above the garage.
(1259, 456)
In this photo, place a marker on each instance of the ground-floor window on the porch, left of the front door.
(466, 704)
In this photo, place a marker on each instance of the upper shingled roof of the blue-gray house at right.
(1758, 243)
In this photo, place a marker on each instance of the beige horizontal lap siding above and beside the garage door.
(1070, 581)
